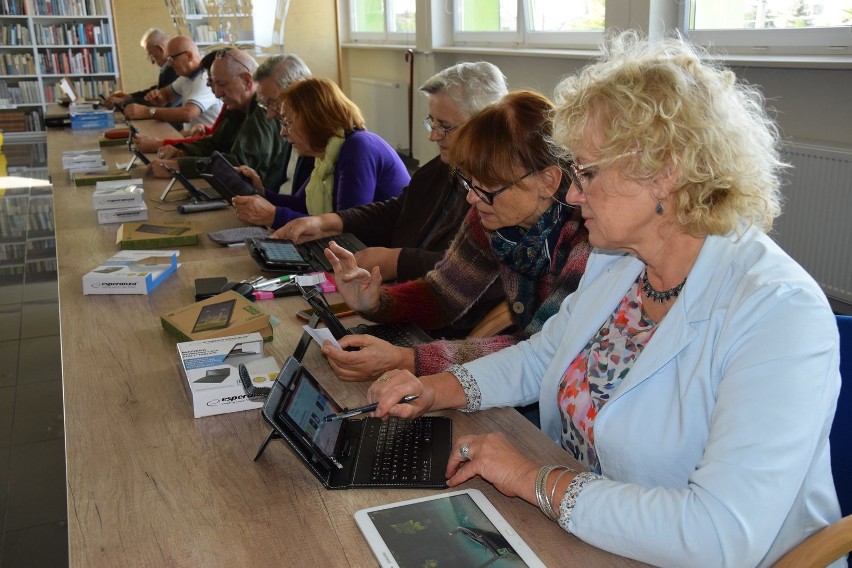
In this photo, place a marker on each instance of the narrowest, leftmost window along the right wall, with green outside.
(382, 19)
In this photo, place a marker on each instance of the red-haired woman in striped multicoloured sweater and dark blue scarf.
(518, 228)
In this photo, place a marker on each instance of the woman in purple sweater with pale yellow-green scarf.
(351, 165)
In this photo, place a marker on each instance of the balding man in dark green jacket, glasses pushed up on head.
(244, 132)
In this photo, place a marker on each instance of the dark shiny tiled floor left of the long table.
(33, 519)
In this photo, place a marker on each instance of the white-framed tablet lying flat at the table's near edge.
(456, 529)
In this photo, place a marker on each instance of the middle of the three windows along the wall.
(567, 23)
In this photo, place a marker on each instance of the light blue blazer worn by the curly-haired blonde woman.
(714, 448)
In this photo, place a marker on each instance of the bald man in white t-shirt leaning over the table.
(200, 105)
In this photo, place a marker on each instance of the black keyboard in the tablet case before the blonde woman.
(403, 449)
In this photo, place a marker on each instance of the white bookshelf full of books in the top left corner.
(42, 42)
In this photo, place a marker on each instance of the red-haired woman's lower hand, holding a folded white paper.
(374, 357)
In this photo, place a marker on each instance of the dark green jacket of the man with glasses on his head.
(252, 140)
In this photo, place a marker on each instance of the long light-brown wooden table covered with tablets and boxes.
(149, 485)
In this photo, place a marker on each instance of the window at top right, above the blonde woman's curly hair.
(771, 26)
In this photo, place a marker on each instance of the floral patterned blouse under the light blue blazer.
(597, 371)
